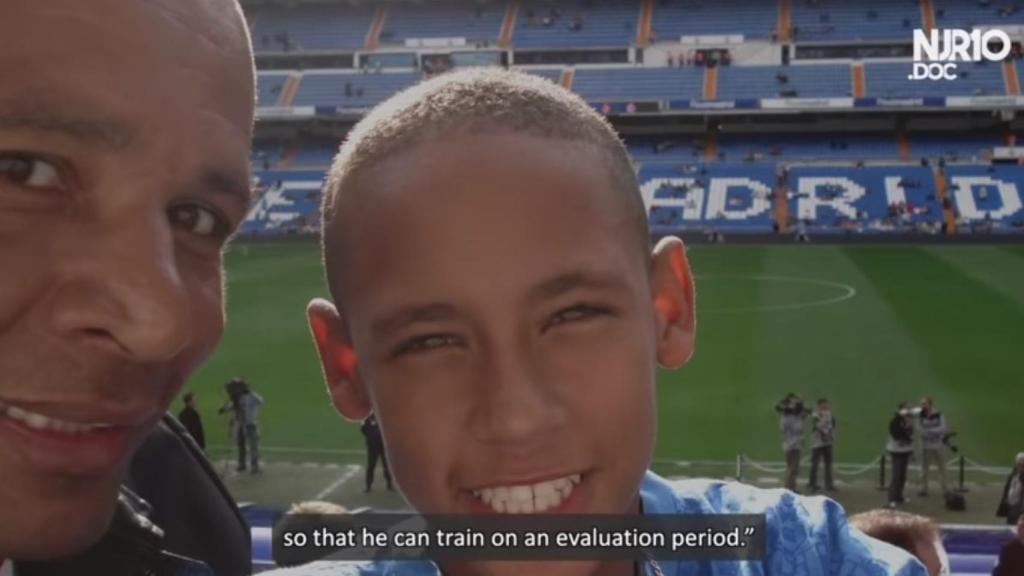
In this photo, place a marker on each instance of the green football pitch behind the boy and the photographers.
(866, 326)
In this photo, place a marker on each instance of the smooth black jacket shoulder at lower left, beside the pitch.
(190, 504)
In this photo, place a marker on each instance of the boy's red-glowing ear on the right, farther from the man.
(672, 291)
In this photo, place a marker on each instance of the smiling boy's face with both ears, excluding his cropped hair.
(503, 316)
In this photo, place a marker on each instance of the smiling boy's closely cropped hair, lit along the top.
(478, 101)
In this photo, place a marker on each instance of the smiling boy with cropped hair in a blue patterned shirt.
(498, 307)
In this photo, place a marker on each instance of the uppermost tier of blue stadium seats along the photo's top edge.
(554, 24)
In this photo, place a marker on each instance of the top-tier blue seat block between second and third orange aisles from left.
(543, 24)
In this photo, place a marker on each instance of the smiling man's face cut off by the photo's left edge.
(124, 131)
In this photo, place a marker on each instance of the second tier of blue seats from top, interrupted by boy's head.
(363, 90)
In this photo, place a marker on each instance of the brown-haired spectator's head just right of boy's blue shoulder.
(916, 534)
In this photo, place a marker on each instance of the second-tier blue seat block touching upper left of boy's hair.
(365, 90)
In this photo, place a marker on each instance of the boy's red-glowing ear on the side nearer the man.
(344, 383)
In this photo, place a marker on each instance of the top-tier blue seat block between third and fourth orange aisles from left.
(753, 19)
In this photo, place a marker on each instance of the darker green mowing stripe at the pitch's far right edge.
(971, 335)
